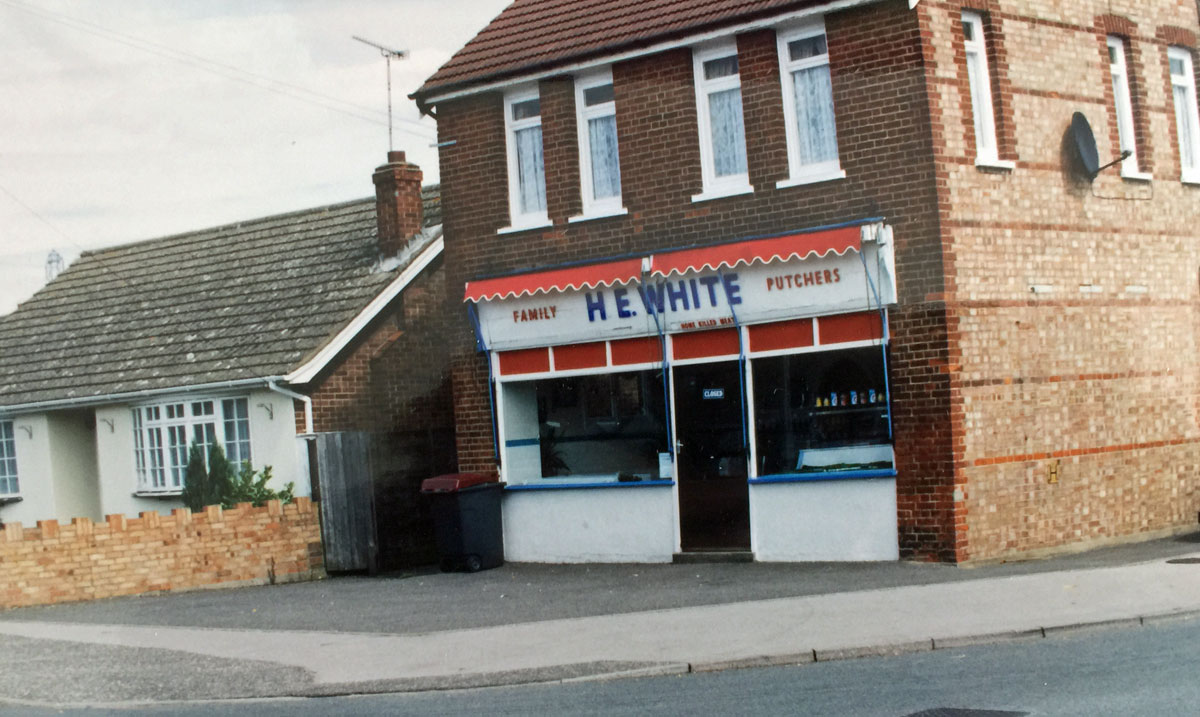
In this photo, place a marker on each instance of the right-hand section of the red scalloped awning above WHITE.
(777, 249)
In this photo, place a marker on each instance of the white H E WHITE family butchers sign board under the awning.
(694, 302)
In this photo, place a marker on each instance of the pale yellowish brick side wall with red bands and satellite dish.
(1076, 418)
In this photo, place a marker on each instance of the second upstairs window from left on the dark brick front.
(599, 158)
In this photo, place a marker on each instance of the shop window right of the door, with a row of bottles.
(821, 413)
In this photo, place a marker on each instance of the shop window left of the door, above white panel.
(592, 429)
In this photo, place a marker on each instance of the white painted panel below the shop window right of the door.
(819, 521)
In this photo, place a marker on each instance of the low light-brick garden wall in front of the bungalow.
(86, 561)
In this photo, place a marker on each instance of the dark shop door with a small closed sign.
(715, 501)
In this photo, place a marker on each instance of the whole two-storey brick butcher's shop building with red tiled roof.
(824, 281)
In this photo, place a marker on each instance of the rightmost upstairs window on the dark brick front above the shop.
(808, 103)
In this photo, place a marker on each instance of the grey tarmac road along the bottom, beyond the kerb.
(1127, 672)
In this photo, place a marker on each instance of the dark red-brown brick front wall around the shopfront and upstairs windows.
(883, 113)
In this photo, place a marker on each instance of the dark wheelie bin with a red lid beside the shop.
(466, 511)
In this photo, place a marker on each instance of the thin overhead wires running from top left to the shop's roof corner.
(226, 71)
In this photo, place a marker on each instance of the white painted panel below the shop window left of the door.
(590, 526)
